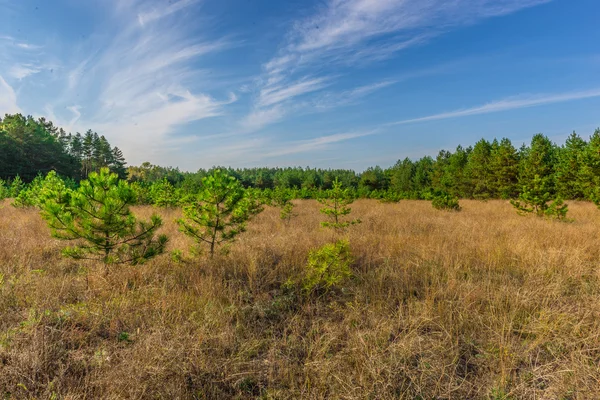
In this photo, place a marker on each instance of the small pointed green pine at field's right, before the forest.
(536, 199)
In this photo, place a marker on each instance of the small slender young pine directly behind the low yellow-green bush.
(335, 202)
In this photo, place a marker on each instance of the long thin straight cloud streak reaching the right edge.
(511, 103)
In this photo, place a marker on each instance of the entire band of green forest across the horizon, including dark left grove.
(486, 170)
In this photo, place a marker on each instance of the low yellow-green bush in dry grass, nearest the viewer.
(327, 267)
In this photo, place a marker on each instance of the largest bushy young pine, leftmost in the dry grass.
(97, 218)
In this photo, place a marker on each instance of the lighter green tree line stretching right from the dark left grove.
(487, 170)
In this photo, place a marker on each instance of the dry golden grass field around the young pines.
(480, 304)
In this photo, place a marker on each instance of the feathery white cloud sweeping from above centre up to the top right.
(354, 32)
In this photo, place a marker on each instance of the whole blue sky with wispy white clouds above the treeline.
(328, 83)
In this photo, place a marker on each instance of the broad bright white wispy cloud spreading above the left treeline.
(144, 79)
